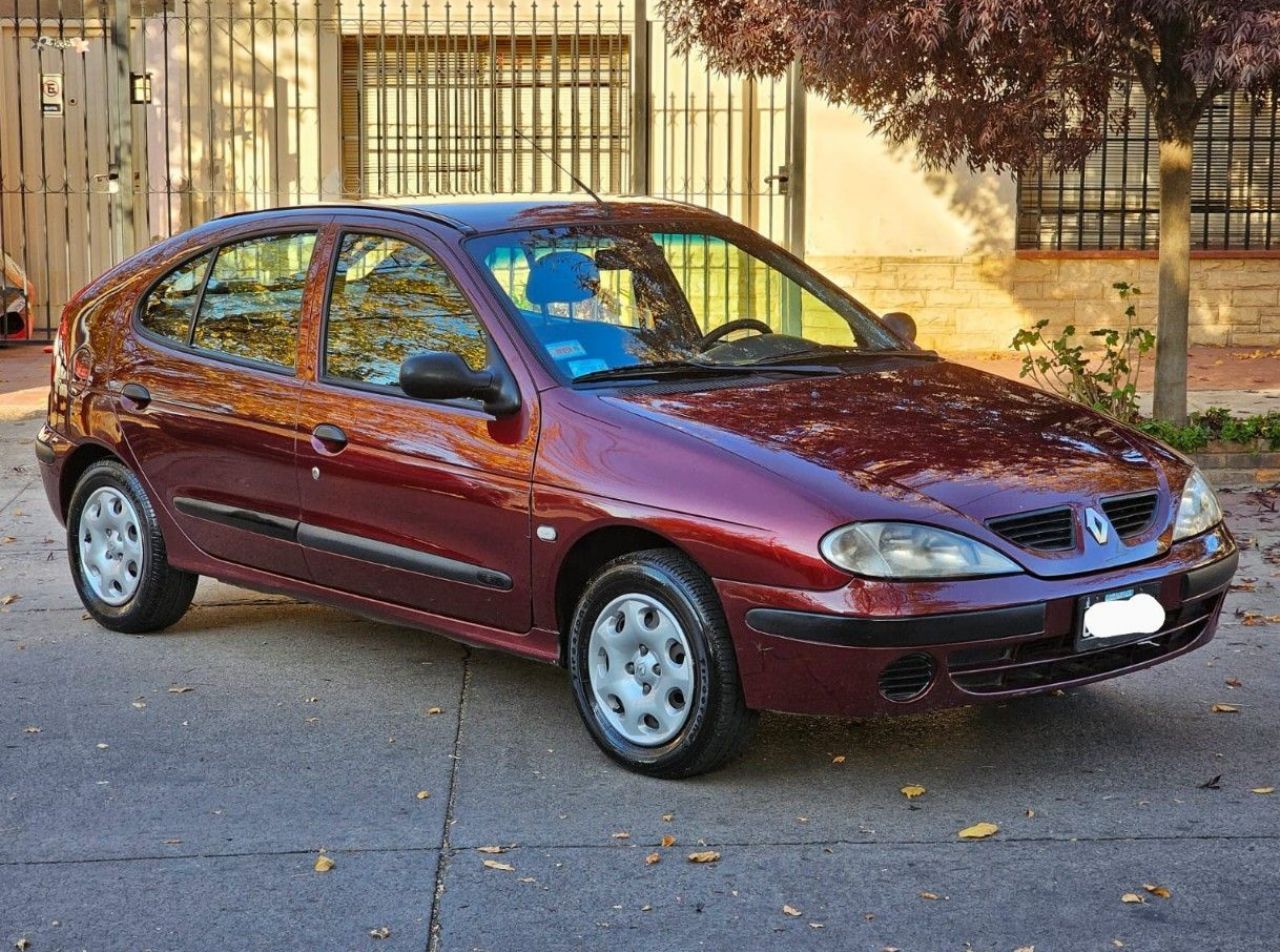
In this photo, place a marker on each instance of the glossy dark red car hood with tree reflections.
(972, 442)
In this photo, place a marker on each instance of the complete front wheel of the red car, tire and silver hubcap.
(653, 667)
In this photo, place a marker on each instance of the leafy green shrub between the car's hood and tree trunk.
(1107, 379)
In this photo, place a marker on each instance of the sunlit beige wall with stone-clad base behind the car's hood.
(940, 248)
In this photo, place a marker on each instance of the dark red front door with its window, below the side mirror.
(410, 502)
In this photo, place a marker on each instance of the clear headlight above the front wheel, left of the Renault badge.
(911, 551)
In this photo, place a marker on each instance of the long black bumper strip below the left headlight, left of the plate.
(900, 633)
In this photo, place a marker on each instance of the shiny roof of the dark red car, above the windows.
(482, 214)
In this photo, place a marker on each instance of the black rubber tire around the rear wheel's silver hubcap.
(163, 593)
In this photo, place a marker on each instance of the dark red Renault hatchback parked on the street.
(629, 438)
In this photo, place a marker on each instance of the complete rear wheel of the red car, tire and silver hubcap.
(118, 555)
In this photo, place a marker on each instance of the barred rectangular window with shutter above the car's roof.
(440, 115)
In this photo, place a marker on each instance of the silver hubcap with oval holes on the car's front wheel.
(642, 670)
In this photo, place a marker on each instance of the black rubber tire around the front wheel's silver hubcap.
(719, 725)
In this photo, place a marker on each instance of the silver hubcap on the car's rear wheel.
(111, 546)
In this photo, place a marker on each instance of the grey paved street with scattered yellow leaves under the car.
(176, 791)
